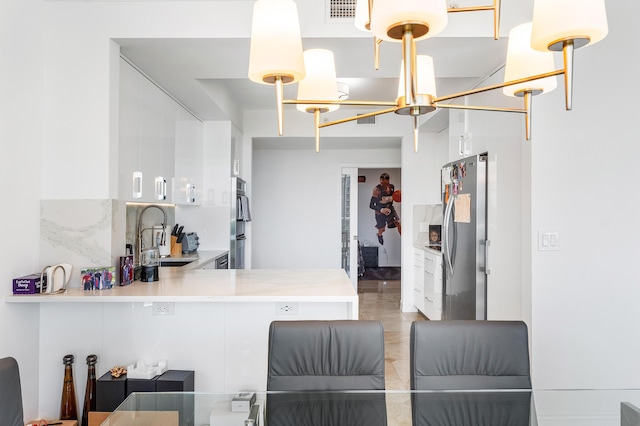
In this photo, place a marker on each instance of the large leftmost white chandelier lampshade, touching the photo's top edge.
(276, 46)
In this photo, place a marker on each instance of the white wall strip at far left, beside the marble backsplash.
(20, 171)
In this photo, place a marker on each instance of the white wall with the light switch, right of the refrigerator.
(585, 296)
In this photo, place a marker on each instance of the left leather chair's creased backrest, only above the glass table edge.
(326, 355)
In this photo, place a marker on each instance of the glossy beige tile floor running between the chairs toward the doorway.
(380, 300)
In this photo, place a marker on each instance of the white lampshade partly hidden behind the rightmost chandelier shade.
(523, 61)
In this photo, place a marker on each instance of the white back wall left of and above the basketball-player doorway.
(296, 204)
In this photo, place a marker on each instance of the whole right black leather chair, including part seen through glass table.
(464, 355)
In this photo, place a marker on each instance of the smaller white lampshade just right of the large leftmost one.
(320, 83)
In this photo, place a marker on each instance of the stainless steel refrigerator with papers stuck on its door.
(464, 239)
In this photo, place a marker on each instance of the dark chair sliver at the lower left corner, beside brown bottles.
(10, 393)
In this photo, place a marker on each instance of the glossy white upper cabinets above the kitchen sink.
(160, 149)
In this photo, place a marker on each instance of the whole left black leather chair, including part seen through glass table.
(310, 359)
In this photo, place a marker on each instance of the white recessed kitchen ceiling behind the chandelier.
(201, 72)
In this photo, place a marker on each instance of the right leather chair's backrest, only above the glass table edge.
(469, 355)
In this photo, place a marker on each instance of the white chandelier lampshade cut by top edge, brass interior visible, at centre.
(429, 17)
